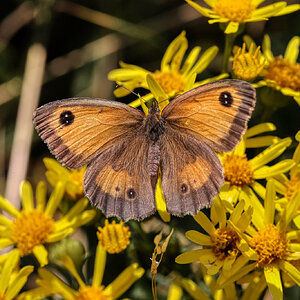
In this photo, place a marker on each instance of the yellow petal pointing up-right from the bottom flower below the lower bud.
(124, 281)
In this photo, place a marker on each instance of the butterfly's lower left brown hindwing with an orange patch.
(117, 181)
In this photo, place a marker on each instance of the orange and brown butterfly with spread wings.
(125, 149)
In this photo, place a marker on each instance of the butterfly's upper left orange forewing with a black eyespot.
(77, 130)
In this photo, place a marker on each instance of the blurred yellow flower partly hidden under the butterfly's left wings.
(71, 178)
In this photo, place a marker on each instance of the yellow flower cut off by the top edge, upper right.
(233, 13)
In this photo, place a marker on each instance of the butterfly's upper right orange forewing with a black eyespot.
(217, 113)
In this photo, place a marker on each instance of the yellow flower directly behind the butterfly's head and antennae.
(174, 76)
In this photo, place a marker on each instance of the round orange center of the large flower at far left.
(31, 229)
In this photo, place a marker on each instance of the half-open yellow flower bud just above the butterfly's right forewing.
(247, 65)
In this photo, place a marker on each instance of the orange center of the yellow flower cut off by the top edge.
(236, 11)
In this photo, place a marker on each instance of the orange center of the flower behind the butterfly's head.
(170, 81)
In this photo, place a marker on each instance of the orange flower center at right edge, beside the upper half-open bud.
(285, 74)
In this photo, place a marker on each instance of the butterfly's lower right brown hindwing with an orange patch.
(191, 173)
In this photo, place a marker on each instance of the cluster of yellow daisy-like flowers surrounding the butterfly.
(253, 229)
